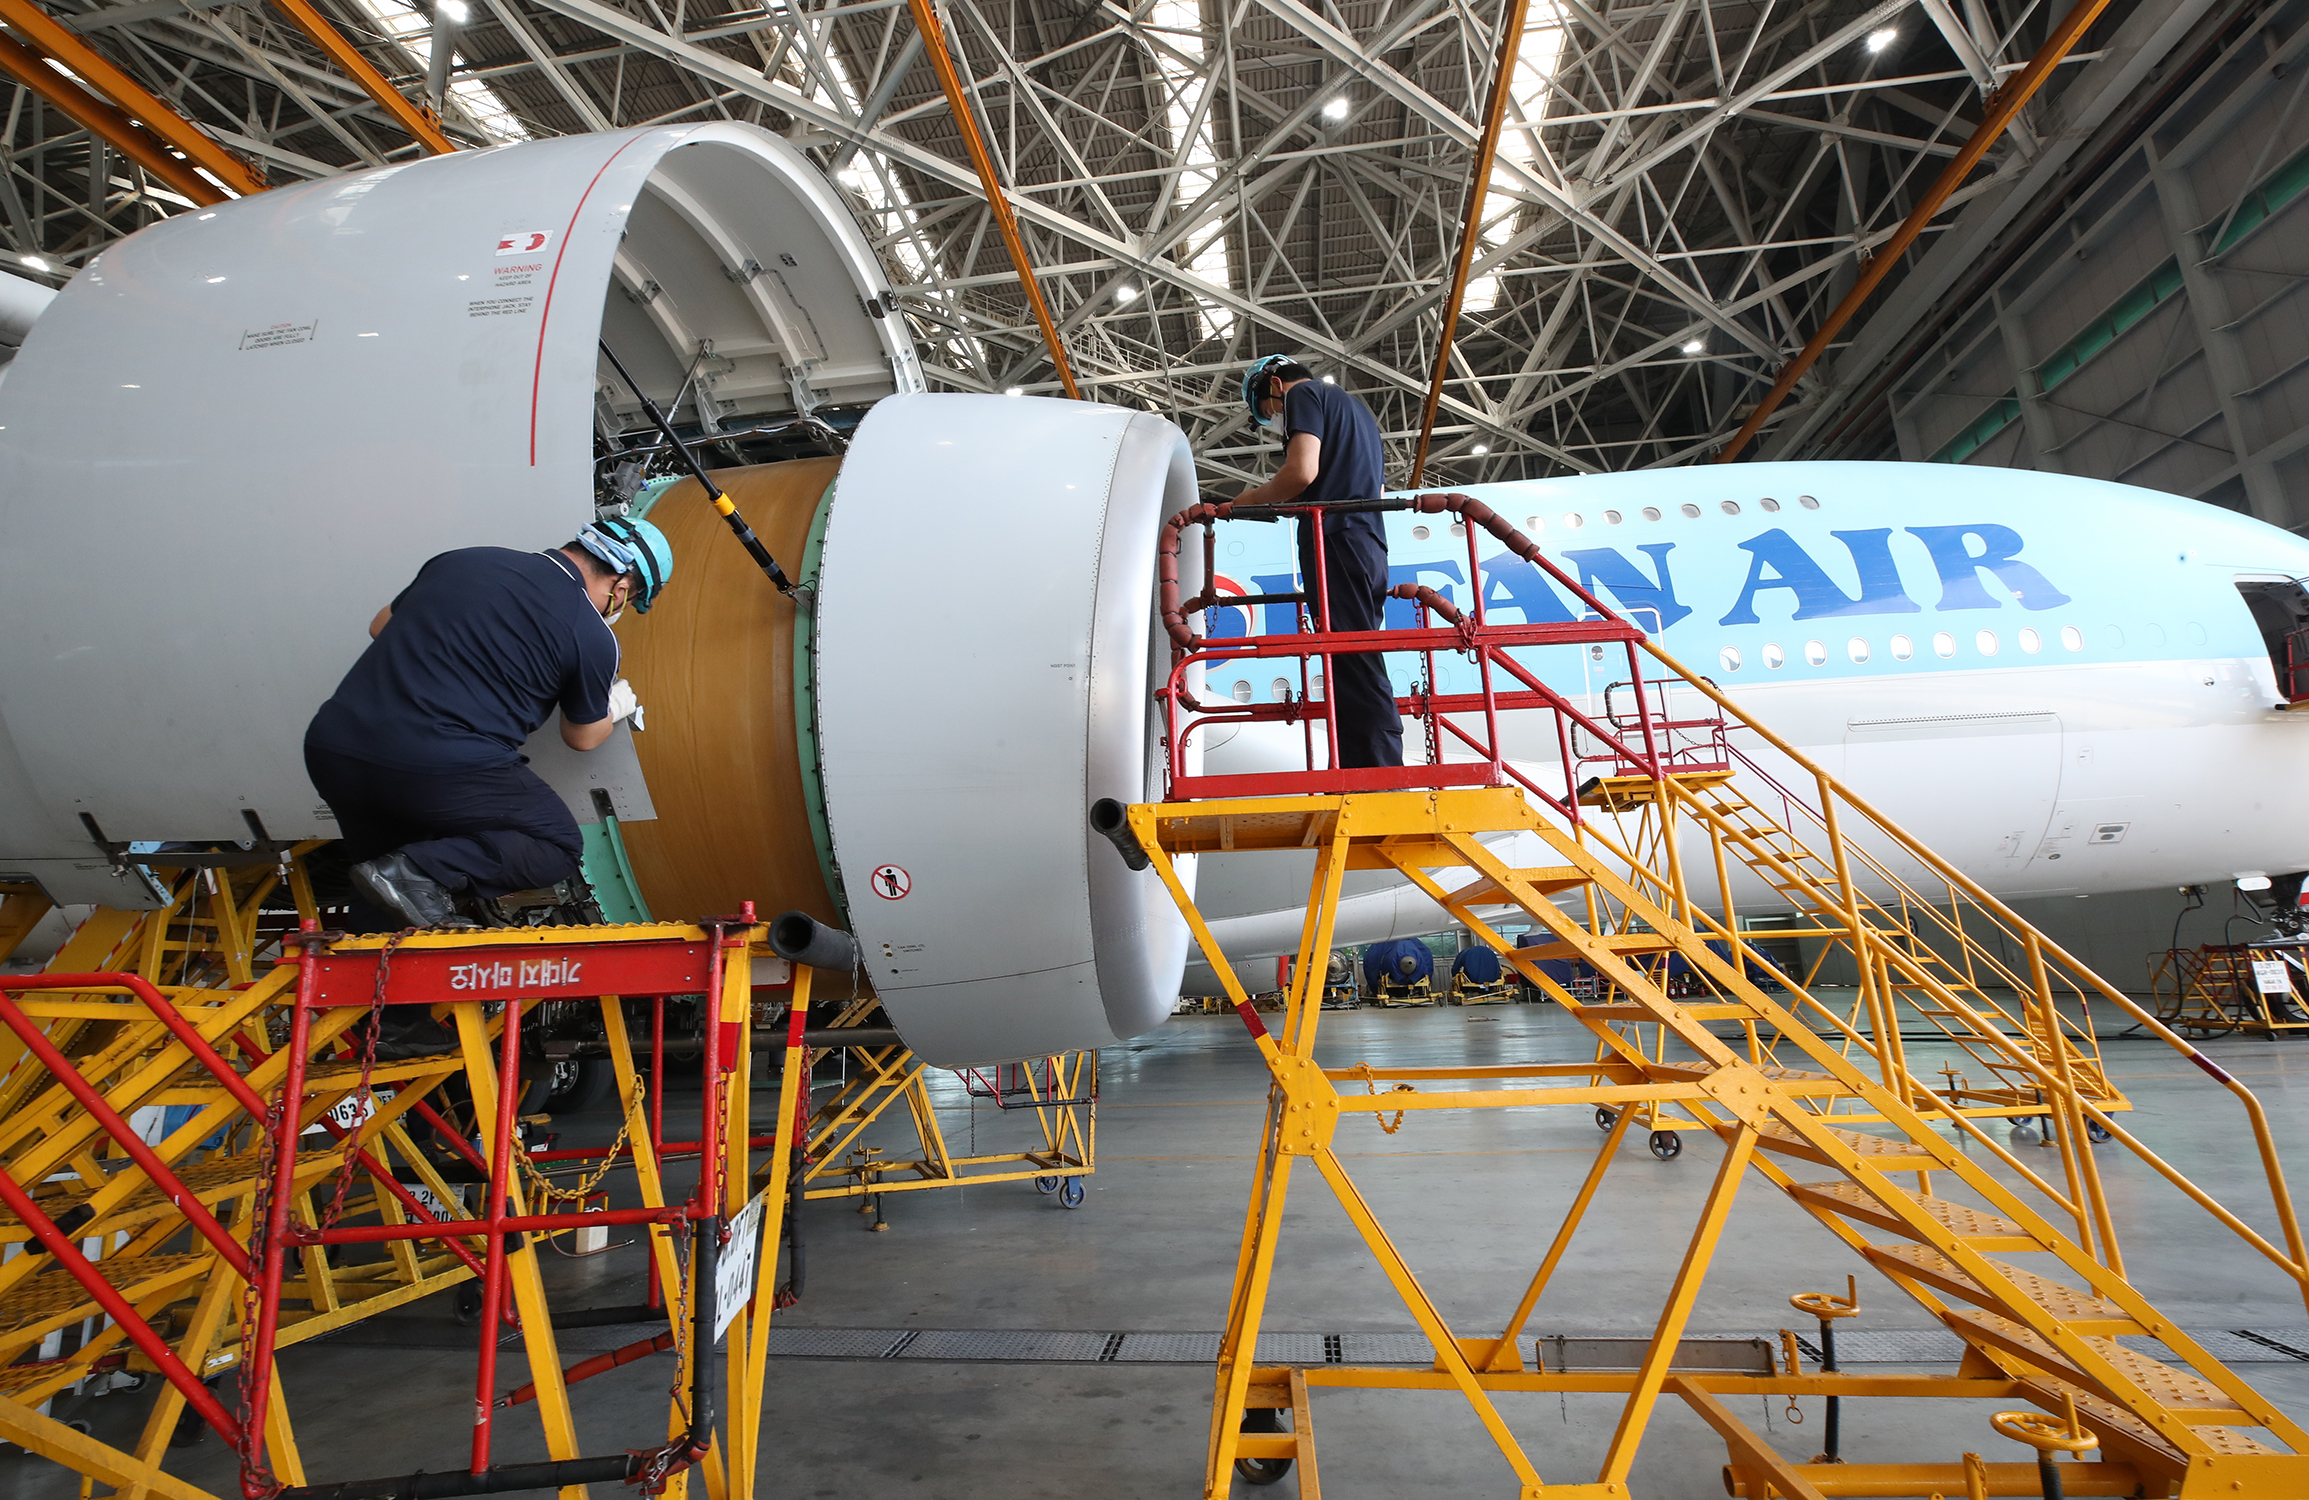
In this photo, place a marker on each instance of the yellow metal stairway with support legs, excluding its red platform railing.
(2033, 1284)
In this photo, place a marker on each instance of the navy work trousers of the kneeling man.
(488, 832)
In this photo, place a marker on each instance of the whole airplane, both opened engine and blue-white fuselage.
(237, 433)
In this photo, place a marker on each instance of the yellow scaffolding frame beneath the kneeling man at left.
(214, 966)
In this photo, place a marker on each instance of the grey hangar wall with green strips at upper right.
(2155, 329)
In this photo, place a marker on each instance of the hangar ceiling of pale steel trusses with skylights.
(1684, 188)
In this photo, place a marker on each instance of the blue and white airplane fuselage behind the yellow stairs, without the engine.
(2063, 687)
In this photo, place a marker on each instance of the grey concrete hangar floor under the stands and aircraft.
(1472, 1201)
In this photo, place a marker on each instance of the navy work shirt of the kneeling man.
(481, 647)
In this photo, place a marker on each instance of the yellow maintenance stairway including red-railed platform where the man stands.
(1645, 853)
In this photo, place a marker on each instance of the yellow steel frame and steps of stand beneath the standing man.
(2031, 1337)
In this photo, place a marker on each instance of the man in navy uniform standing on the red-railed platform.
(1333, 456)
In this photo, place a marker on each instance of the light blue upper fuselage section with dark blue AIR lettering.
(1784, 571)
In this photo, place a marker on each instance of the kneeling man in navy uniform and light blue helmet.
(421, 749)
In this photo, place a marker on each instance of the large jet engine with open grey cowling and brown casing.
(239, 433)
